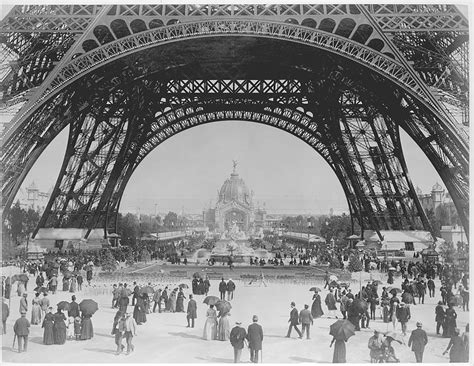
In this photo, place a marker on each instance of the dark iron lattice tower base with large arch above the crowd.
(342, 78)
